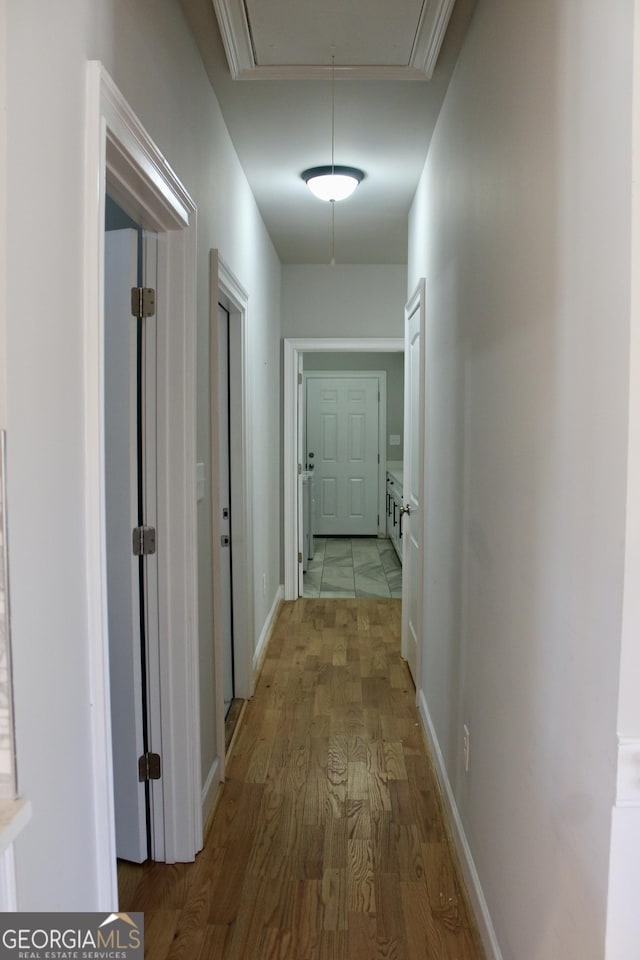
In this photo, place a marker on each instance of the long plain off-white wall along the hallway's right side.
(521, 227)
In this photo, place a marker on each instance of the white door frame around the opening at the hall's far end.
(293, 348)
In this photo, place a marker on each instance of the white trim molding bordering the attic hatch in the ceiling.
(240, 49)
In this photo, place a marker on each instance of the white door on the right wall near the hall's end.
(413, 484)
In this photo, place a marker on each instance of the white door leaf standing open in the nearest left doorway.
(121, 495)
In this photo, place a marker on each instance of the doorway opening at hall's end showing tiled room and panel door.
(352, 435)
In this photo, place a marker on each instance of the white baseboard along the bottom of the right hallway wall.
(472, 880)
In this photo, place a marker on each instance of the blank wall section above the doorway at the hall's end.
(346, 300)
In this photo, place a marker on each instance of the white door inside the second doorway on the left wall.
(224, 479)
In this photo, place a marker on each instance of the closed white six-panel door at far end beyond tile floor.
(343, 451)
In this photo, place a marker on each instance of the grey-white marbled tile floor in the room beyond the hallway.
(353, 567)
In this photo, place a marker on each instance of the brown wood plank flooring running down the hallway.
(328, 841)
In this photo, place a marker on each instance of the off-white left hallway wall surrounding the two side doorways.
(152, 57)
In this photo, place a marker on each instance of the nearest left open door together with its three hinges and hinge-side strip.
(130, 501)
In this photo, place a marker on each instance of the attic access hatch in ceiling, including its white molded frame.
(295, 39)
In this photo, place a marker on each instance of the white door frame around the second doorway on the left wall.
(226, 290)
